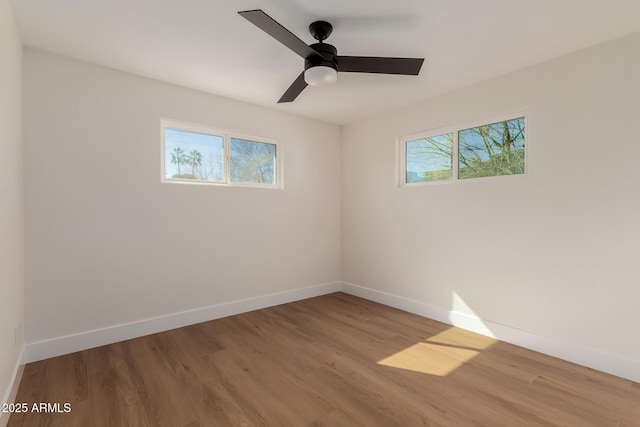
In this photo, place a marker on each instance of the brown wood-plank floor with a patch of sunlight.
(334, 360)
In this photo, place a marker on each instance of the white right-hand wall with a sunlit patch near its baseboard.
(553, 253)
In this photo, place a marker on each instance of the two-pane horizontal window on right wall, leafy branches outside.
(493, 149)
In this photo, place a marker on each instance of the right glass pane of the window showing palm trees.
(252, 161)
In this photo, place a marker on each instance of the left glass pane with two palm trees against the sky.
(193, 156)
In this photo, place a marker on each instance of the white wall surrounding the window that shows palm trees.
(107, 243)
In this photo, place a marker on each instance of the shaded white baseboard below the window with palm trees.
(84, 340)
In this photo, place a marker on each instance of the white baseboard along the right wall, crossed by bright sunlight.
(573, 352)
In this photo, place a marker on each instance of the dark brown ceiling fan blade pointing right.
(372, 64)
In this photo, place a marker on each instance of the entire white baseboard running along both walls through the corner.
(593, 358)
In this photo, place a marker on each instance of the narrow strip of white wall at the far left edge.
(11, 202)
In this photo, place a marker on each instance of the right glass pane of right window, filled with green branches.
(492, 150)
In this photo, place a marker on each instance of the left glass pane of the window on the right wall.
(429, 159)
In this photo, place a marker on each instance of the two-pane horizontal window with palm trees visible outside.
(197, 154)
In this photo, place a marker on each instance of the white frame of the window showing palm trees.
(226, 135)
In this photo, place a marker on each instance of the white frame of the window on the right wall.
(455, 167)
